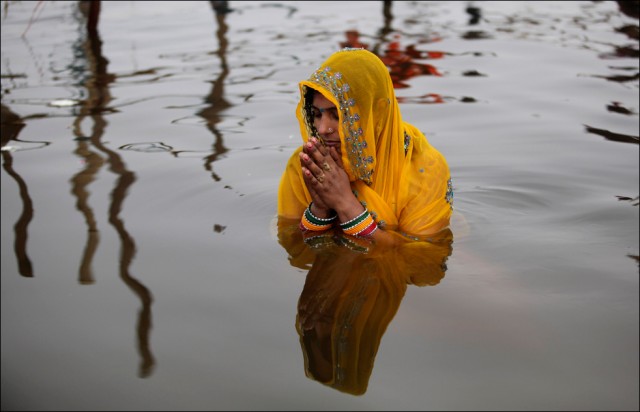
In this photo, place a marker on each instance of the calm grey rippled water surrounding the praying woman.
(141, 268)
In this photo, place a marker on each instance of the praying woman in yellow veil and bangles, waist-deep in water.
(361, 167)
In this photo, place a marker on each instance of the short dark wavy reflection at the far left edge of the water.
(12, 124)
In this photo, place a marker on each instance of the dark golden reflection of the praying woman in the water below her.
(351, 293)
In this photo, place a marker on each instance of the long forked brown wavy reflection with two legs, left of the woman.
(91, 69)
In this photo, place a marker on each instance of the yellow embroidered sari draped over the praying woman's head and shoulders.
(394, 171)
